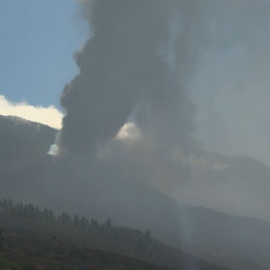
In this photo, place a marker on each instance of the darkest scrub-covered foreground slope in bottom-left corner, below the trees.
(35, 252)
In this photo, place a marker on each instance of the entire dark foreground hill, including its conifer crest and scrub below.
(35, 239)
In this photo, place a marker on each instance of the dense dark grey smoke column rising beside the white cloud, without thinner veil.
(121, 62)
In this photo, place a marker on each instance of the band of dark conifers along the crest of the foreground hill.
(139, 240)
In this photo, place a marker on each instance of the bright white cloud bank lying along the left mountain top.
(45, 115)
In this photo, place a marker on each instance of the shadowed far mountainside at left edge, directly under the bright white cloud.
(22, 141)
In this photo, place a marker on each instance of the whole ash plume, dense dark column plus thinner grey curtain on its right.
(129, 68)
